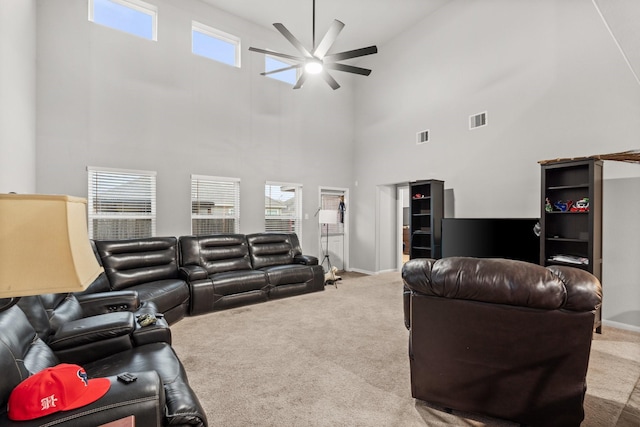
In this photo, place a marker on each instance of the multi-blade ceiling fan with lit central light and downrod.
(318, 60)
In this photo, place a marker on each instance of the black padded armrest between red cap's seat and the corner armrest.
(92, 329)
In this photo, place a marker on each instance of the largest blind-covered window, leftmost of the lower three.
(121, 204)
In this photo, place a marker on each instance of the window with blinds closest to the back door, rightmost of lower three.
(283, 207)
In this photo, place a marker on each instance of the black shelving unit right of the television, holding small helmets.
(571, 231)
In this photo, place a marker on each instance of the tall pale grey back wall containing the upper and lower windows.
(109, 99)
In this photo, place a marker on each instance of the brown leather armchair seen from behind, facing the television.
(502, 338)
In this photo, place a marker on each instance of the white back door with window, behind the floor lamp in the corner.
(334, 238)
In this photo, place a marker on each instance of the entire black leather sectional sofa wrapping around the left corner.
(99, 329)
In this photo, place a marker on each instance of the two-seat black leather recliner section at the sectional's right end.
(228, 270)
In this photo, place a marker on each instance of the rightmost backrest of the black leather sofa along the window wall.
(267, 249)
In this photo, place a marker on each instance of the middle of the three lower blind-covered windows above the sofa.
(215, 205)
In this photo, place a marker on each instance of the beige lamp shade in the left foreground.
(44, 245)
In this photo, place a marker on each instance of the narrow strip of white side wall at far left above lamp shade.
(17, 96)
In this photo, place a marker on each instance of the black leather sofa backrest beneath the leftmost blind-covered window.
(134, 261)
